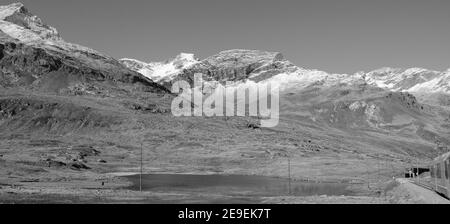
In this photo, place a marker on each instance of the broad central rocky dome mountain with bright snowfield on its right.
(250, 67)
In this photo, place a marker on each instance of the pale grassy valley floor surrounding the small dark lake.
(56, 149)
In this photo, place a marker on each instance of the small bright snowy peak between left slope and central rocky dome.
(161, 71)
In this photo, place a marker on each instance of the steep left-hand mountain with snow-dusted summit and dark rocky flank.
(34, 54)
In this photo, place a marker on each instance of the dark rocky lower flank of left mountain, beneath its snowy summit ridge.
(49, 70)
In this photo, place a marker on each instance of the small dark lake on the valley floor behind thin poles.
(235, 185)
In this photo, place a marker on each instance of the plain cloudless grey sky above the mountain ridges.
(341, 36)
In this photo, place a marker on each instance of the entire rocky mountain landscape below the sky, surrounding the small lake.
(73, 120)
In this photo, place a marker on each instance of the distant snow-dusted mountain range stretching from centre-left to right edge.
(255, 66)
